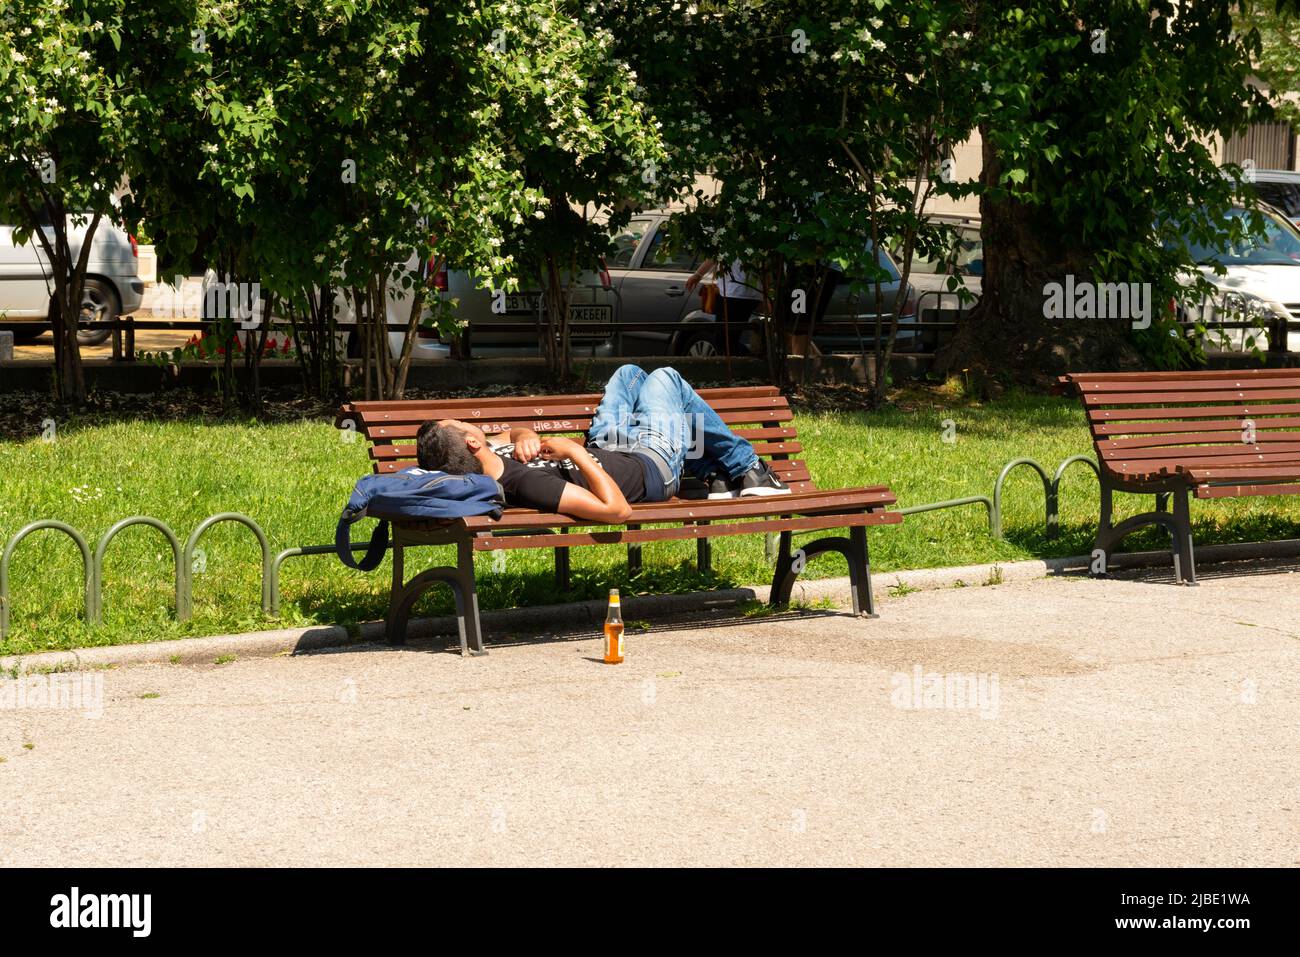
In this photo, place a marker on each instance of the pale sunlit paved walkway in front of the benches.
(1090, 724)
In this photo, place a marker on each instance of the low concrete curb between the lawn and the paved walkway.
(588, 616)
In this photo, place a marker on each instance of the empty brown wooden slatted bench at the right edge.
(1177, 435)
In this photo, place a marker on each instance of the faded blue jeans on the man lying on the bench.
(660, 413)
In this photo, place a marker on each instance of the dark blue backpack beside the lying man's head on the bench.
(415, 493)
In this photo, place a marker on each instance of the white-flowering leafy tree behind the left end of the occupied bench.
(324, 150)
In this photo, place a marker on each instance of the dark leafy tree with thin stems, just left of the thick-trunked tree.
(825, 127)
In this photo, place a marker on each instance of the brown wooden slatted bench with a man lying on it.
(391, 428)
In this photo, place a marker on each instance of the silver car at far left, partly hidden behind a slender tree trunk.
(112, 287)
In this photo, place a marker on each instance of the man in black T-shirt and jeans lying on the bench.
(648, 432)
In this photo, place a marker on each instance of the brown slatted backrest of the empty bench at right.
(1149, 419)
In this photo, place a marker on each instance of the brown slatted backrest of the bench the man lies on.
(760, 414)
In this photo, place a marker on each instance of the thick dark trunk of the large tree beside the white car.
(1008, 332)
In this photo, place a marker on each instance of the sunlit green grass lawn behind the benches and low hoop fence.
(293, 479)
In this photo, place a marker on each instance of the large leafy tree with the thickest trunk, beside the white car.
(1095, 128)
